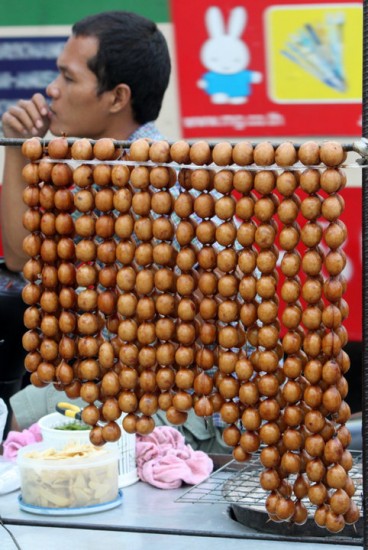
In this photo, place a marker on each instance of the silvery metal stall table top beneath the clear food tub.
(147, 515)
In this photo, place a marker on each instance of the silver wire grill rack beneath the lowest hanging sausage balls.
(237, 483)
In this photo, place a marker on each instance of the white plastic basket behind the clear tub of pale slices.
(59, 438)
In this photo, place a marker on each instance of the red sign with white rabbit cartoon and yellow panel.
(266, 69)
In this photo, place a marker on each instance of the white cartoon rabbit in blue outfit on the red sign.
(226, 57)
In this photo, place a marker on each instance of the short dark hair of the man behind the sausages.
(133, 51)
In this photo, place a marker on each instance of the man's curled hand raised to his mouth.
(27, 118)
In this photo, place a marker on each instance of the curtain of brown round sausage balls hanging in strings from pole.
(152, 285)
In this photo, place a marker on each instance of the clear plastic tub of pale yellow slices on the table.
(69, 480)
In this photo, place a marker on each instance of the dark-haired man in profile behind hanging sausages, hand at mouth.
(113, 74)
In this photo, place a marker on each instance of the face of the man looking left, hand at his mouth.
(76, 109)
